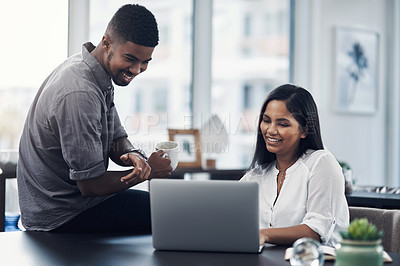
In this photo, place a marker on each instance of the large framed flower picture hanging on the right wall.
(356, 70)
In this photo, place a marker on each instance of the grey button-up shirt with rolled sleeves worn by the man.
(67, 136)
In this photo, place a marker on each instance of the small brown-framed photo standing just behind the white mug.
(189, 142)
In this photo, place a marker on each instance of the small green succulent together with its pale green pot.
(360, 245)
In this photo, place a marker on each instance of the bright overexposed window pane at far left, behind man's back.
(36, 34)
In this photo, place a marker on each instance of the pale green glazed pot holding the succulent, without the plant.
(359, 252)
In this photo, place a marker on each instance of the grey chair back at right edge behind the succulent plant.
(386, 220)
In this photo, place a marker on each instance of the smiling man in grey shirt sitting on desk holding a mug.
(73, 128)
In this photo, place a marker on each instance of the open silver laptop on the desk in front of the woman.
(206, 215)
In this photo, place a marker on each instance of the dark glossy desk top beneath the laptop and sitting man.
(38, 248)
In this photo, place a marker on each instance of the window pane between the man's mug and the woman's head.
(251, 45)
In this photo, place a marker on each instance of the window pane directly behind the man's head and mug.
(159, 98)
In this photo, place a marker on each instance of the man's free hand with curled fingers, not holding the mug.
(141, 169)
